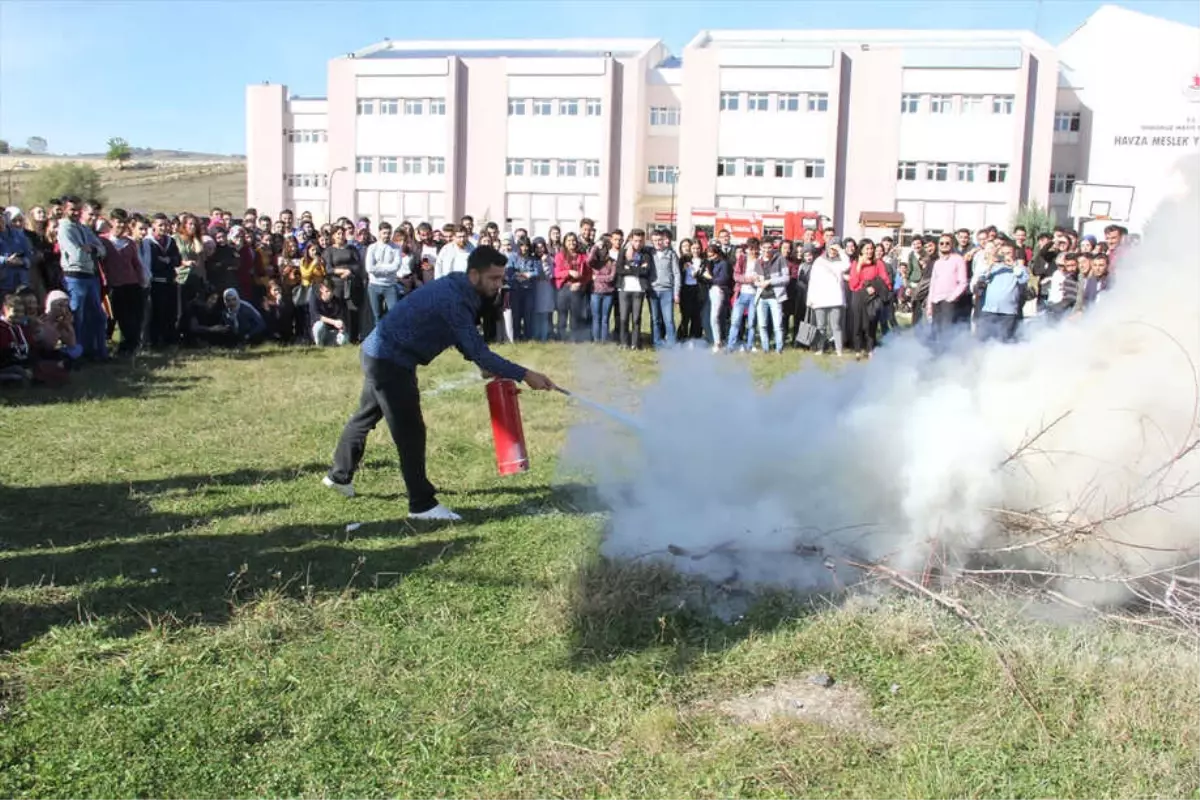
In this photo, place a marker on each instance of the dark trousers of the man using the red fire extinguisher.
(391, 394)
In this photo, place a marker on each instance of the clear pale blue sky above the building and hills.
(81, 73)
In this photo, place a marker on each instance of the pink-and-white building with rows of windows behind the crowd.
(877, 131)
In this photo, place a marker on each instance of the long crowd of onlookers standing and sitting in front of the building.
(79, 282)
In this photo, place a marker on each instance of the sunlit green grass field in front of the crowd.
(185, 613)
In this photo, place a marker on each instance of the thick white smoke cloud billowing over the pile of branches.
(905, 455)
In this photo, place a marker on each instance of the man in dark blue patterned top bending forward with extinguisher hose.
(412, 335)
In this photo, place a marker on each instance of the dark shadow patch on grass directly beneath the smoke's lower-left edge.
(619, 609)
